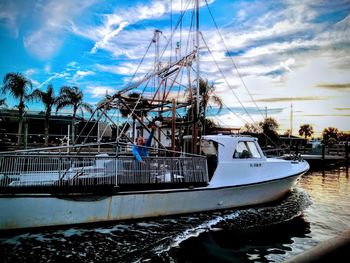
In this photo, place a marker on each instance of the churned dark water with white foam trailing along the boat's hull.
(146, 240)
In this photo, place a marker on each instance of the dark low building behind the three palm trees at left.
(34, 129)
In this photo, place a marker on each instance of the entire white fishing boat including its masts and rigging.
(84, 183)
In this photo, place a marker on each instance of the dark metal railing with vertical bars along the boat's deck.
(63, 171)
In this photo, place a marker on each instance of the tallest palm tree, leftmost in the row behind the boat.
(18, 86)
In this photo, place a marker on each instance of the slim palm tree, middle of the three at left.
(49, 100)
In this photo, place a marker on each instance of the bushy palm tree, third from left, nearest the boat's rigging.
(72, 97)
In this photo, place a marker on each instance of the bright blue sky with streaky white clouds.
(270, 57)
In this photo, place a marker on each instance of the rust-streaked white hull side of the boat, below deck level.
(39, 210)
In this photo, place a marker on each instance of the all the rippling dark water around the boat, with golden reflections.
(318, 209)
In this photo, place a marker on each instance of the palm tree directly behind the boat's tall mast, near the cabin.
(206, 95)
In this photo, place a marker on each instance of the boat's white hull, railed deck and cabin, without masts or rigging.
(50, 190)
